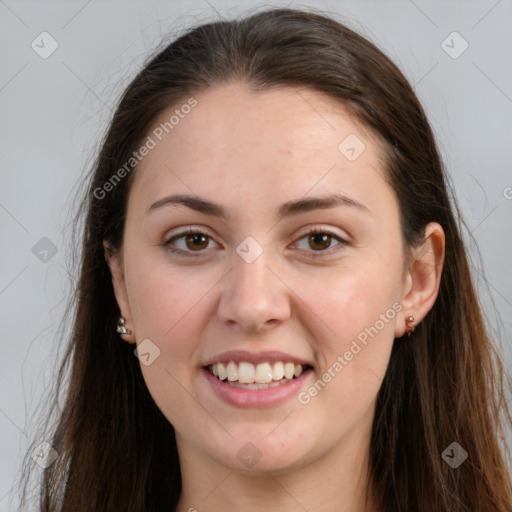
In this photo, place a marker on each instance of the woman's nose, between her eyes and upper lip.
(254, 297)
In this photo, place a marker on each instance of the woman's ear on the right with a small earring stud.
(423, 277)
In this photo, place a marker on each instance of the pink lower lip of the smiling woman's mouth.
(240, 397)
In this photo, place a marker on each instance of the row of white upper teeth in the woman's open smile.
(263, 373)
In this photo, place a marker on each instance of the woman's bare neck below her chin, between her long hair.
(335, 481)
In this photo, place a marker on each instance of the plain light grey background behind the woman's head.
(54, 110)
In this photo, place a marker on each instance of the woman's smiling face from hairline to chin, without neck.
(276, 279)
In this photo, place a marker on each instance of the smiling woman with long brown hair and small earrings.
(268, 230)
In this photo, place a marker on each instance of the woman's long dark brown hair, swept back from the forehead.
(117, 451)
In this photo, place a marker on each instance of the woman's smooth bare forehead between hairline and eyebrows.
(282, 141)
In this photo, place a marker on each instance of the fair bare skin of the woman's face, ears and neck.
(251, 152)
